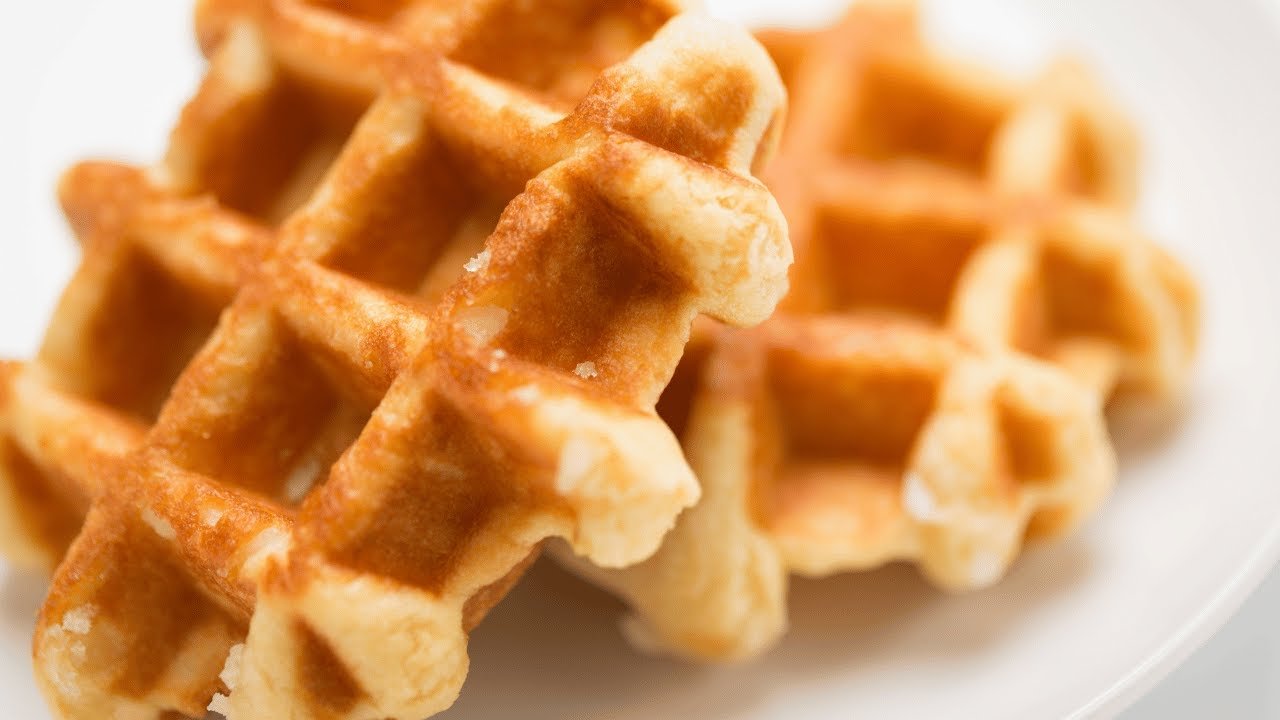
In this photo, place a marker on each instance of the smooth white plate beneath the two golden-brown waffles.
(1080, 628)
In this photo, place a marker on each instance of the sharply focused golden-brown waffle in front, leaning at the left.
(395, 309)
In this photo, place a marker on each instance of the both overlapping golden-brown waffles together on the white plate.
(409, 299)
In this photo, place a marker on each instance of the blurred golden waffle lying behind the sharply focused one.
(968, 295)
